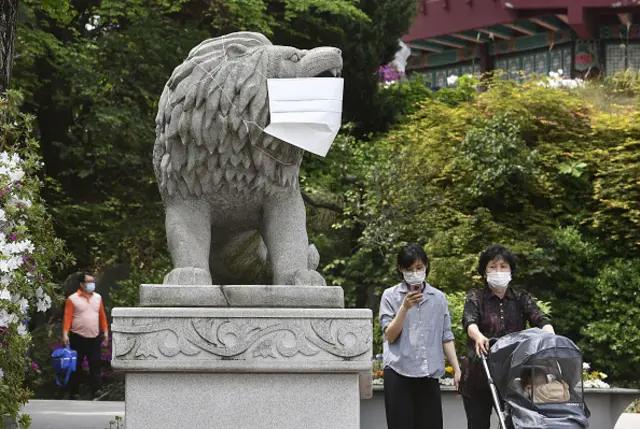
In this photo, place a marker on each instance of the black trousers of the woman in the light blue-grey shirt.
(412, 403)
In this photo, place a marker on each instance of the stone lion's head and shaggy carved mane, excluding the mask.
(214, 107)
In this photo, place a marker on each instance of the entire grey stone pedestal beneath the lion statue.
(224, 367)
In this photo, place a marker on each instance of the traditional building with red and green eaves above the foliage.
(579, 37)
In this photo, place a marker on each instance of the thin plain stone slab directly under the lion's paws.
(241, 296)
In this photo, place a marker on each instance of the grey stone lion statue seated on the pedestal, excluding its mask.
(234, 212)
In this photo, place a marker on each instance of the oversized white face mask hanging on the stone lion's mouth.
(306, 112)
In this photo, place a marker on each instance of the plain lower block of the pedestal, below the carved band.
(242, 401)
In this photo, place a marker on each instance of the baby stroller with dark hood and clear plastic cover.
(538, 377)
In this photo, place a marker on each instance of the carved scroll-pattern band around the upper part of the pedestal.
(239, 339)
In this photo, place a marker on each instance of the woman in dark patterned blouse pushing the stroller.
(492, 312)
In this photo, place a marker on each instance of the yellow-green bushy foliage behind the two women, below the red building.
(541, 170)
